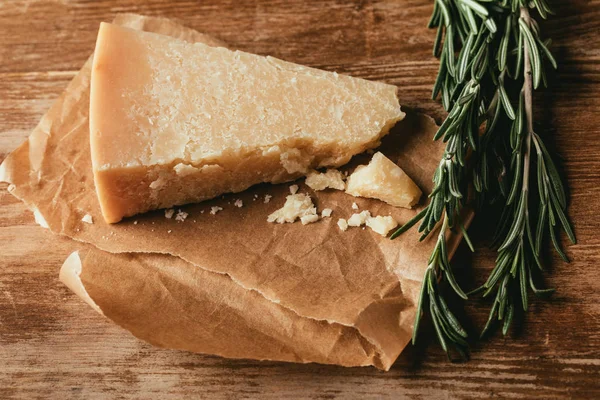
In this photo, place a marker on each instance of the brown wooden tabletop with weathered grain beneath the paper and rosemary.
(53, 345)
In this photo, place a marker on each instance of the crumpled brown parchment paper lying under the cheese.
(230, 283)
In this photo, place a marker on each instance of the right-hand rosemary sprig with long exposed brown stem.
(519, 252)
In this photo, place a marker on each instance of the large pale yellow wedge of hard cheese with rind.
(173, 122)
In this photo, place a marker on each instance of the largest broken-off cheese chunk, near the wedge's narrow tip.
(382, 179)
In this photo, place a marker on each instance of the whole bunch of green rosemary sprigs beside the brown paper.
(486, 49)
